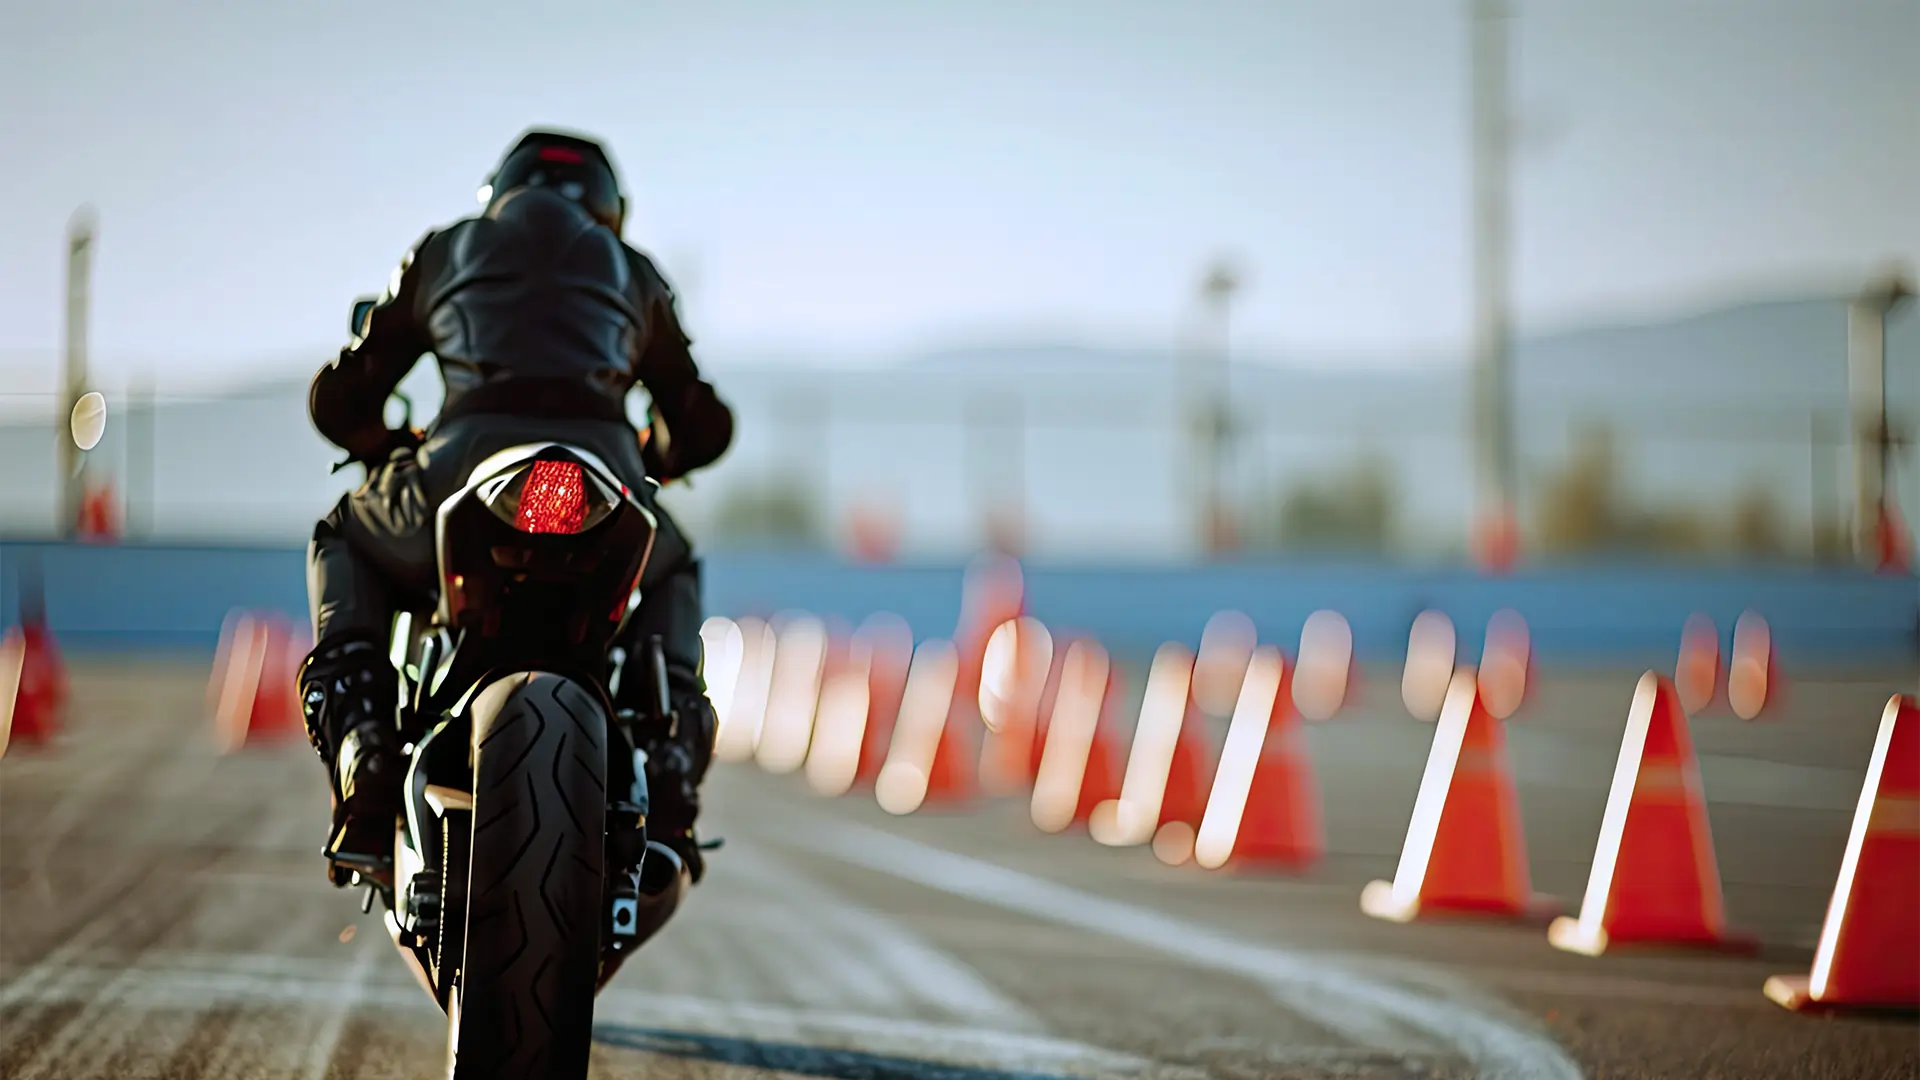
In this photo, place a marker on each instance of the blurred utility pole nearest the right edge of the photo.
(1867, 347)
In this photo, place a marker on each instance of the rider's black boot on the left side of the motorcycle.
(348, 695)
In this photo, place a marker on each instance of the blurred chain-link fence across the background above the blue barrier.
(1065, 464)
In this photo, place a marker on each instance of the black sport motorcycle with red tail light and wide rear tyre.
(523, 875)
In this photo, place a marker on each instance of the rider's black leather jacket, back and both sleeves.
(531, 310)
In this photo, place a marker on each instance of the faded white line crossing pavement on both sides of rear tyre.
(306, 985)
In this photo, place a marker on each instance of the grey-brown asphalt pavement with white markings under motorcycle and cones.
(164, 914)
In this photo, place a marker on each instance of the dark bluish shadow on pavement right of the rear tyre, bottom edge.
(802, 1060)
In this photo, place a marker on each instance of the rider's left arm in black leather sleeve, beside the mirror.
(348, 397)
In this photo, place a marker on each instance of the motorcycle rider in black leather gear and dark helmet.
(540, 320)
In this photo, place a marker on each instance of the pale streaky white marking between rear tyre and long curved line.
(876, 956)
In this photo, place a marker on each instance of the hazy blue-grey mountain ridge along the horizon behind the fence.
(1702, 405)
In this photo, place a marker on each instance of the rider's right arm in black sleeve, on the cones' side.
(698, 422)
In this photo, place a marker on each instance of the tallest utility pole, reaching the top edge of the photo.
(1497, 533)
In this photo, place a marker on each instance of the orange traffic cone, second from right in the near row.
(1654, 871)
